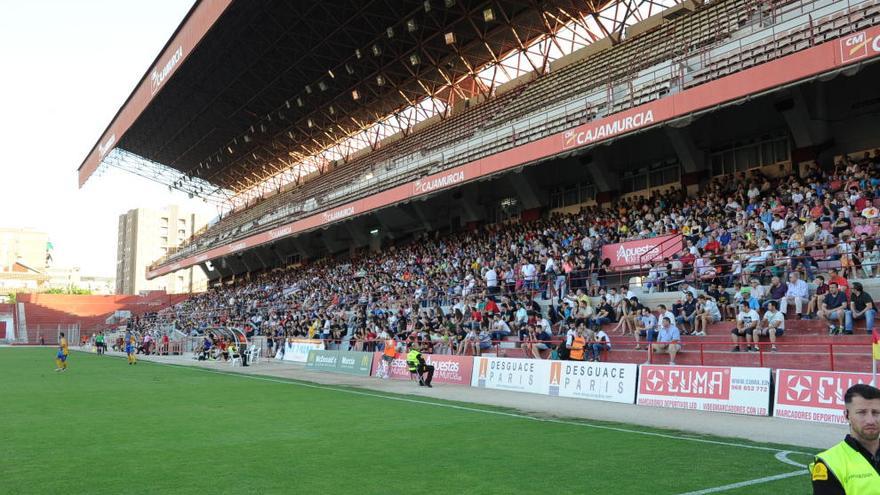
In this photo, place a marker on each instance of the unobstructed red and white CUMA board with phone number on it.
(706, 388)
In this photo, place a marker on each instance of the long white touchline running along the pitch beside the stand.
(487, 411)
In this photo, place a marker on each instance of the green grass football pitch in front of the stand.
(106, 427)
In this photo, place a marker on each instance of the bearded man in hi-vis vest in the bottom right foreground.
(852, 467)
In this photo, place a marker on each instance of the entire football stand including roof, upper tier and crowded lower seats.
(708, 143)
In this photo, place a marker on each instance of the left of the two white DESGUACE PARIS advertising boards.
(518, 375)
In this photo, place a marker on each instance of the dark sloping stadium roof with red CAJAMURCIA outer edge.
(243, 90)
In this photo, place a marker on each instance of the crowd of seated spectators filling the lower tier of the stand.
(752, 243)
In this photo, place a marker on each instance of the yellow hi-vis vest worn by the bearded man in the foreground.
(856, 475)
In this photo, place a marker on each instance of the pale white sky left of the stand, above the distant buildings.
(66, 66)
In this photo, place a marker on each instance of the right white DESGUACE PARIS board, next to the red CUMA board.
(614, 382)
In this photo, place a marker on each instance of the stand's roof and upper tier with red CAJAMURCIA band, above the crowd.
(323, 128)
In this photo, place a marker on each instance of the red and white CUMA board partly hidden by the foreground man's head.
(814, 395)
